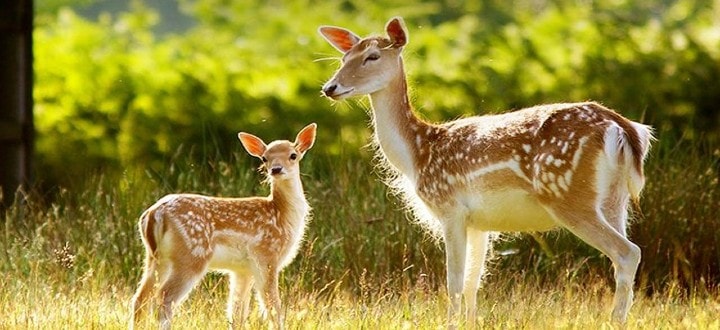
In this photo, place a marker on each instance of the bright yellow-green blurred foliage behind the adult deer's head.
(111, 94)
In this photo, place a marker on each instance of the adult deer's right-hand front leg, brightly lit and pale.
(478, 243)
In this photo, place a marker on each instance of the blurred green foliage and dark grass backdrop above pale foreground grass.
(135, 99)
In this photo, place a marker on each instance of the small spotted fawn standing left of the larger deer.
(252, 239)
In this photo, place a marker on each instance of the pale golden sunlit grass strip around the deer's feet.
(524, 306)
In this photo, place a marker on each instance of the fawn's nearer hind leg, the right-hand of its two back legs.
(180, 281)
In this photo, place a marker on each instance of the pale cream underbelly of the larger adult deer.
(512, 210)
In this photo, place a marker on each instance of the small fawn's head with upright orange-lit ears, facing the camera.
(280, 158)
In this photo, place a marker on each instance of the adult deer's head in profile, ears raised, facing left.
(369, 64)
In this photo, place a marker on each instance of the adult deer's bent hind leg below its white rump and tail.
(590, 225)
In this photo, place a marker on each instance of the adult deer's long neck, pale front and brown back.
(397, 130)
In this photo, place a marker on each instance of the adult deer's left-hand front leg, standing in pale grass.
(455, 236)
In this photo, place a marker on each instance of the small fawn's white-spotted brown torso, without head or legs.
(229, 231)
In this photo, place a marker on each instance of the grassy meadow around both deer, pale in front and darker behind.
(72, 260)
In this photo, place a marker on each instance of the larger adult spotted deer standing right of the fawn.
(574, 165)
